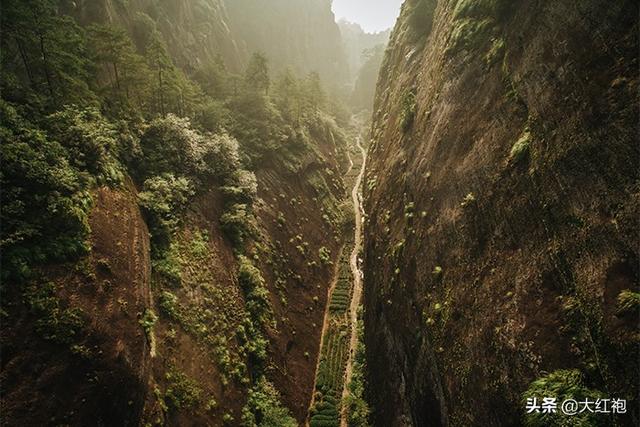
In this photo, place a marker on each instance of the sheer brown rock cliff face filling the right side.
(502, 202)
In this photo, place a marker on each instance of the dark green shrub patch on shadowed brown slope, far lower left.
(53, 322)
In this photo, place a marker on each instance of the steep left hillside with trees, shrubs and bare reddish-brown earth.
(168, 233)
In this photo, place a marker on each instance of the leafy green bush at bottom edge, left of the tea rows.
(263, 408)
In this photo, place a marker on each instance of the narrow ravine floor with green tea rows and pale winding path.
(339, 334)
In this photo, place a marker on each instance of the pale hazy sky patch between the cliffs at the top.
(372, 15)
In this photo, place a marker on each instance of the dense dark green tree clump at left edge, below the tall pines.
(45, 199)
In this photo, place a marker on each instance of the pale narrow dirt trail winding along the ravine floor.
(357, 282)
